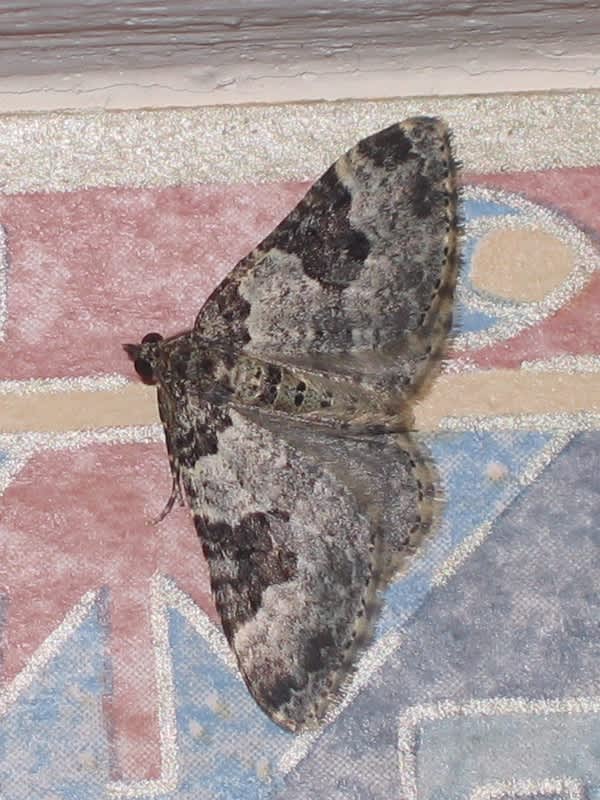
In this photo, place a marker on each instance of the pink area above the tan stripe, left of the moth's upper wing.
(92, 269)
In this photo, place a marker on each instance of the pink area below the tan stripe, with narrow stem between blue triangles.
(74, 521)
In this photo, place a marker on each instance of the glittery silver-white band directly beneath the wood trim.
(238, 144)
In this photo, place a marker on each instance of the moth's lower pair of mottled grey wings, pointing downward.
(298, 531)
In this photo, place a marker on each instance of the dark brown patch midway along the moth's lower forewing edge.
(244, 560)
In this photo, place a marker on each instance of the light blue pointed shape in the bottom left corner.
(53, 741)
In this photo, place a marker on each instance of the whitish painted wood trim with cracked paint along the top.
(136, 54)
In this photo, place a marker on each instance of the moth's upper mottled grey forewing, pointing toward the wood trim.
(359, 277)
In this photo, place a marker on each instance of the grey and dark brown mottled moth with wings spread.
(288, 419)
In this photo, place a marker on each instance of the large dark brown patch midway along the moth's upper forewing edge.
(320, 234)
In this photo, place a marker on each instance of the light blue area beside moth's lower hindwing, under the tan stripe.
(471, 499)
